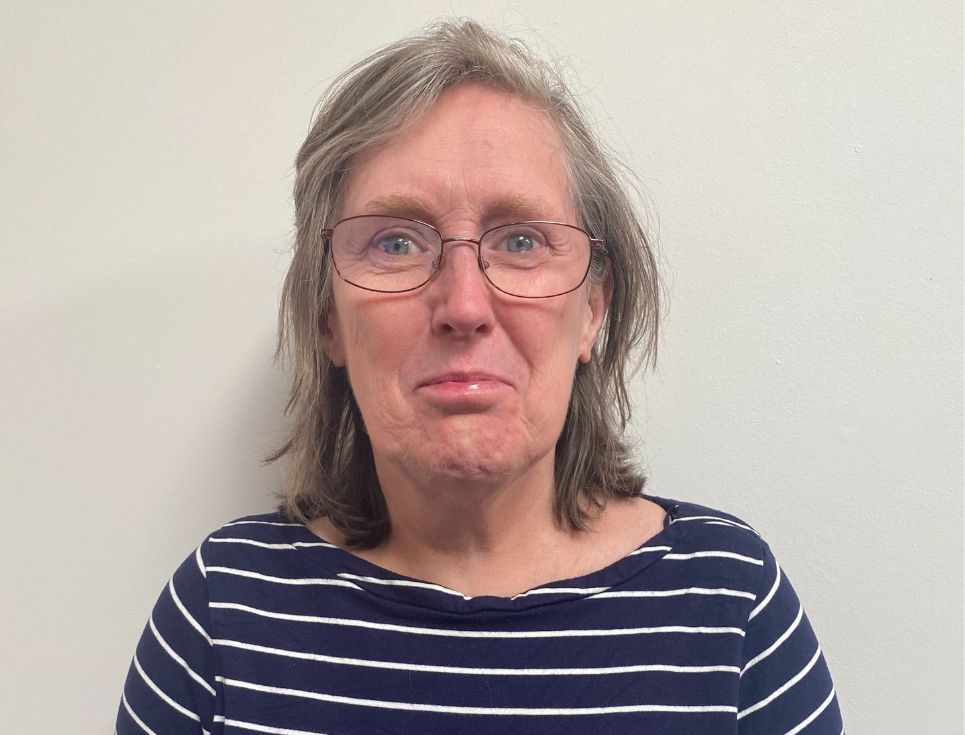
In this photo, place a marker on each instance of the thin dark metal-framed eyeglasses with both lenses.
(532, 260)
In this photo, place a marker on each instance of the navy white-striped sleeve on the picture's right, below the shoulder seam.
(785, 685)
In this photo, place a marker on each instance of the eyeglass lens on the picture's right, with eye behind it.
(536, 259)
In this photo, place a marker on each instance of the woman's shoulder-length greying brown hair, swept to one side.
(332, 471)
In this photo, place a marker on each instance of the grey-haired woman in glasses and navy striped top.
(464, 545)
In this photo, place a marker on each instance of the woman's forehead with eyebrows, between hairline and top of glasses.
(478, 152)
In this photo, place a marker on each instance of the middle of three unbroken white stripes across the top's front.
(434, 669)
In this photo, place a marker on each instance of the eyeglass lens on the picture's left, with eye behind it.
(385, 253)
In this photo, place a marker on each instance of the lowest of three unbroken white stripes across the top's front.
(458, 710)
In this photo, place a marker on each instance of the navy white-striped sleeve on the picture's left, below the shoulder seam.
(170, 686)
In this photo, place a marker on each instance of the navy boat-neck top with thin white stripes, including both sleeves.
(265, 628)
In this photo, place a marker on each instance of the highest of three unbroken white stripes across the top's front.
(446, 632)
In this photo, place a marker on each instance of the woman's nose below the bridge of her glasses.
(460, 295)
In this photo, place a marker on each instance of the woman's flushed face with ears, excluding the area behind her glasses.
(457, 380)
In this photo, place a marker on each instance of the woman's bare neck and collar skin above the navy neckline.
(498, 538)
